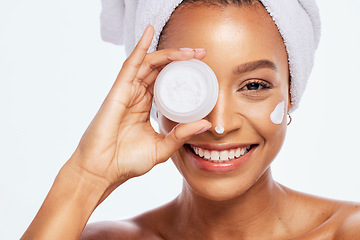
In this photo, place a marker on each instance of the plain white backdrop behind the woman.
(55, 71)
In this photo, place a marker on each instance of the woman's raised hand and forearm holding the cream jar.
(119, 144)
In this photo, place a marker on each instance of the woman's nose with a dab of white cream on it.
(223, 117)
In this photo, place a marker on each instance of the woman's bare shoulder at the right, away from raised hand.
(323, 218)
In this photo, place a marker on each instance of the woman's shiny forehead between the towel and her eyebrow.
(246, 33)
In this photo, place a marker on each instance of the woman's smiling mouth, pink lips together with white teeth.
(217, 159)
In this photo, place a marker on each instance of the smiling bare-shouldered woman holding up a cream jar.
(234, 199)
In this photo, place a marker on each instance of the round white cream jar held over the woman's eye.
(186, 91)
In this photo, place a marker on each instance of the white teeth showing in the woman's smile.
(220, 156)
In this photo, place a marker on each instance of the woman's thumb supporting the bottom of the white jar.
(178, 136)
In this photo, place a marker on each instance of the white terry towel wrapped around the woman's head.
(298, 21)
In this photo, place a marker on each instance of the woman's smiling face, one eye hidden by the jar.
(248, 56)
